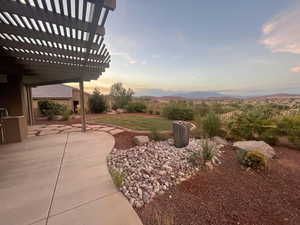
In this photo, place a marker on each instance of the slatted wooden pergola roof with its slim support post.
(54, 41)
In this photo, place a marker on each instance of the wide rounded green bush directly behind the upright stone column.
(178, 111)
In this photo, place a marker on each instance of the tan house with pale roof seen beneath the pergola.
(58, 93)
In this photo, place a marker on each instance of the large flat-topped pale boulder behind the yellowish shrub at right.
(259, 146)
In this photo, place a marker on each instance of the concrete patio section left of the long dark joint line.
(28, 172)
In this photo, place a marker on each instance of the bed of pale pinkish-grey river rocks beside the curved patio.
(151, 169)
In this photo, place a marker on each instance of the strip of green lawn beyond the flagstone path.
(135, 122)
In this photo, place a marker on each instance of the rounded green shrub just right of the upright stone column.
(211, 124)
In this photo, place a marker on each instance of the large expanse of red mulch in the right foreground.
(230, 195)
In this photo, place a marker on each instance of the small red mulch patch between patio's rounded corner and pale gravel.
(125, 140)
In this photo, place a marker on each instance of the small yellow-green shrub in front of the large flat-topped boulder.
(255, 160)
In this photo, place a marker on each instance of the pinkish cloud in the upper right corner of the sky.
(282, 32)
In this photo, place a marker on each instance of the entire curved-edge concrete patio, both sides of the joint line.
(61, 180)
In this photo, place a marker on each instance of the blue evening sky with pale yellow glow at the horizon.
(233, 47)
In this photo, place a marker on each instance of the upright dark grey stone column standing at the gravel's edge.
(181, 133)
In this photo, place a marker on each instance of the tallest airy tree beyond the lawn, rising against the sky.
(120, 95)
